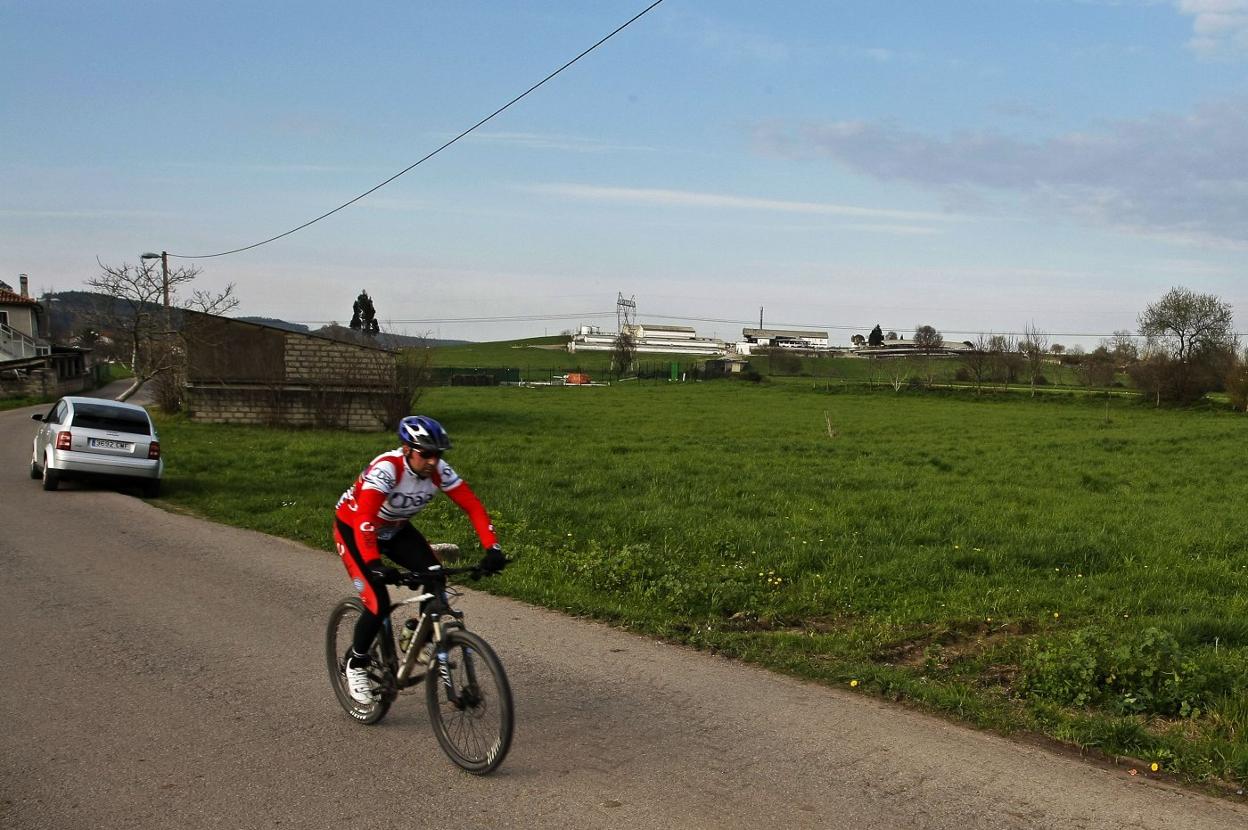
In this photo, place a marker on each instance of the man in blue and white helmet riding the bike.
(374, 520)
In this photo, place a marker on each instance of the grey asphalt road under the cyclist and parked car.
(164, 672)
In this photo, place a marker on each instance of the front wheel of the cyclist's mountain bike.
(475, 732)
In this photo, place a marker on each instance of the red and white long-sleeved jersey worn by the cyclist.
(388, 495)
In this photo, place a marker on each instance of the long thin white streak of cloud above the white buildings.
(660, 198)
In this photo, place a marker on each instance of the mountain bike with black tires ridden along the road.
(470, 702)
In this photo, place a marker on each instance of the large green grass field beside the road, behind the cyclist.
(1065, 566)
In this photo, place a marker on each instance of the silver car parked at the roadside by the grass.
(90, 437)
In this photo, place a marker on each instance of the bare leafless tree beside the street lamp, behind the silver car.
(139, 319)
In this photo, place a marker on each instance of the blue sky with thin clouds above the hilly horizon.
(978, 167)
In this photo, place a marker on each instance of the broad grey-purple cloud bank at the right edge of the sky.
(1185, 177)
